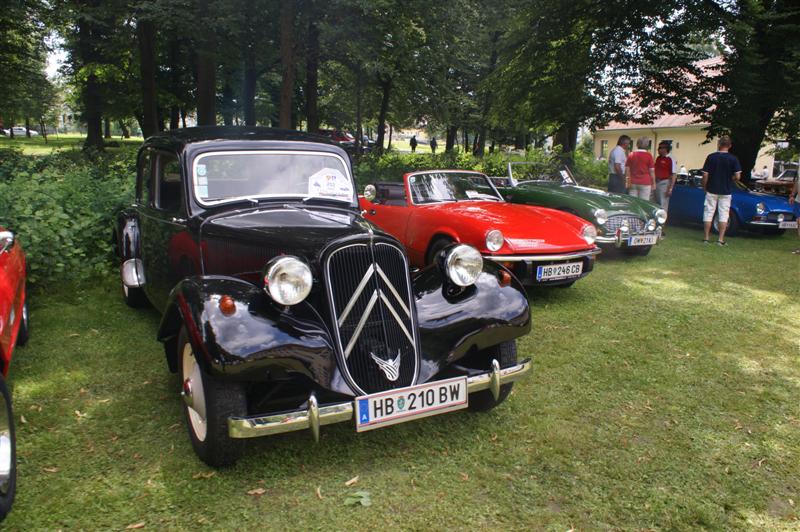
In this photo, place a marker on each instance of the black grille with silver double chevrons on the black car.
(370, 296)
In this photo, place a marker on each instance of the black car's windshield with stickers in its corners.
(219, 177)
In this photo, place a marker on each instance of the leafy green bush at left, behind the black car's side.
(61, 208)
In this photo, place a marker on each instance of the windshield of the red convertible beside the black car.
(436, 187)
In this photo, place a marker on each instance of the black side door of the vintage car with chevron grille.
(163, 218)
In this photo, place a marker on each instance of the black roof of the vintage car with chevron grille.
(178, 139)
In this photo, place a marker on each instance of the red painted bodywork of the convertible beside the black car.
(469, 221)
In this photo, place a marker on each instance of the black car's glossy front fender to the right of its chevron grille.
(454, 321)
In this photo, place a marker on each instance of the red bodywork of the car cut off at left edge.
(12, 297)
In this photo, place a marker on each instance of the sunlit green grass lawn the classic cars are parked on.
(664, 395)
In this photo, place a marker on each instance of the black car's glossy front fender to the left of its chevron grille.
(258, 339)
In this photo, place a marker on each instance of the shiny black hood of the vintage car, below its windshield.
(300, 231)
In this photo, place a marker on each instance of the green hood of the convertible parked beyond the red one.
(592, 198)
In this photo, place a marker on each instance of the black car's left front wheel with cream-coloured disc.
(207, 405)
